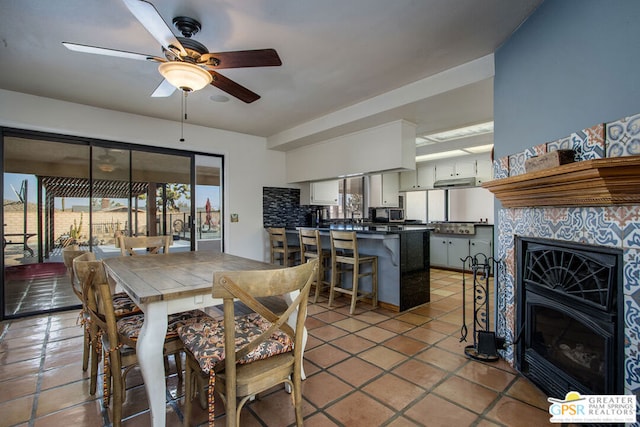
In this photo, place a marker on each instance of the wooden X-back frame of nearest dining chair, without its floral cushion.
(246, 286)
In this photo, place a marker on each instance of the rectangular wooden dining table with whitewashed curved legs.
(163, 284)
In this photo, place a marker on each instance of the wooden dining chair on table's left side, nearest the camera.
(115, 337)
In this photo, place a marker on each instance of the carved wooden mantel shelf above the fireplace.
(599, 182)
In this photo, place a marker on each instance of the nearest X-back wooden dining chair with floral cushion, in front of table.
(267, 347)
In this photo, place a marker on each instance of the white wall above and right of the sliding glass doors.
(248, 164)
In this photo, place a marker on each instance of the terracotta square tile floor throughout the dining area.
(374, 368)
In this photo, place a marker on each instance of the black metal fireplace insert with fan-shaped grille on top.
(569, 316)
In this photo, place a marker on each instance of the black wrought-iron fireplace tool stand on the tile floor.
(485, 343)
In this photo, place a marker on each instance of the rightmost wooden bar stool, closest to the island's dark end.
(346, 258)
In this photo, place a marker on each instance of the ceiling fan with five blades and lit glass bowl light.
(187, 64)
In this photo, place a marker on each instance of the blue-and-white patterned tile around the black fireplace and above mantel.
(609, 224)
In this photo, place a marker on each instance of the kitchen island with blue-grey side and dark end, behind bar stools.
(403, 260)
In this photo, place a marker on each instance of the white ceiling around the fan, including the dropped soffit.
(335, 54)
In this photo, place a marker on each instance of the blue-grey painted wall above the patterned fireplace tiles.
(571, 65)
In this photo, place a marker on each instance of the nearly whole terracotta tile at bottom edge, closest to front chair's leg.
(359, 410)
